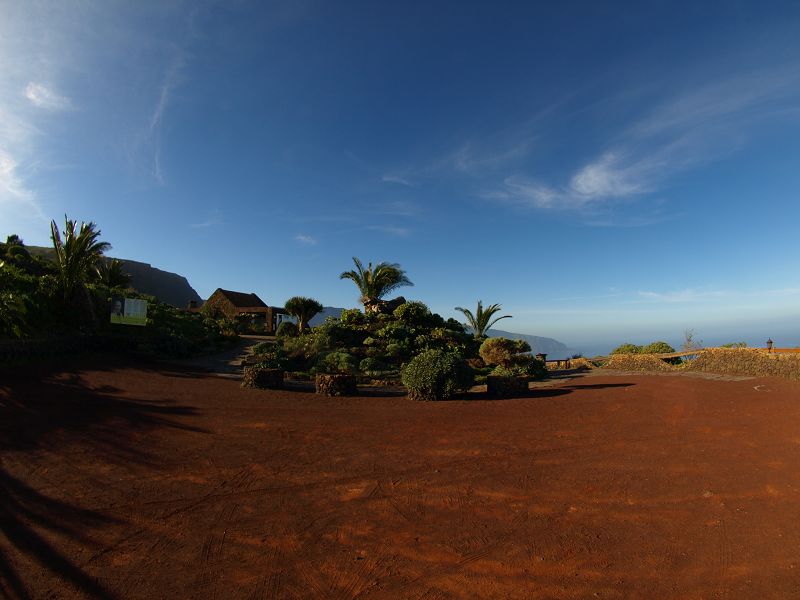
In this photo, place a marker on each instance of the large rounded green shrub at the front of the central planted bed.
(436, 374)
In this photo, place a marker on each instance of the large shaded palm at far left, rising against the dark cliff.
(77, 254)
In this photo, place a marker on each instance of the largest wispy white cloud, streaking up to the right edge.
(692, 128)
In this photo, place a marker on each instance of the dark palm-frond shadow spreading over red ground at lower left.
(62, 411)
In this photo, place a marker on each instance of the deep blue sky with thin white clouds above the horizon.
(606, 171)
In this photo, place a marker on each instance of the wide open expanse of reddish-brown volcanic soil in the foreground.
(150, 482)
